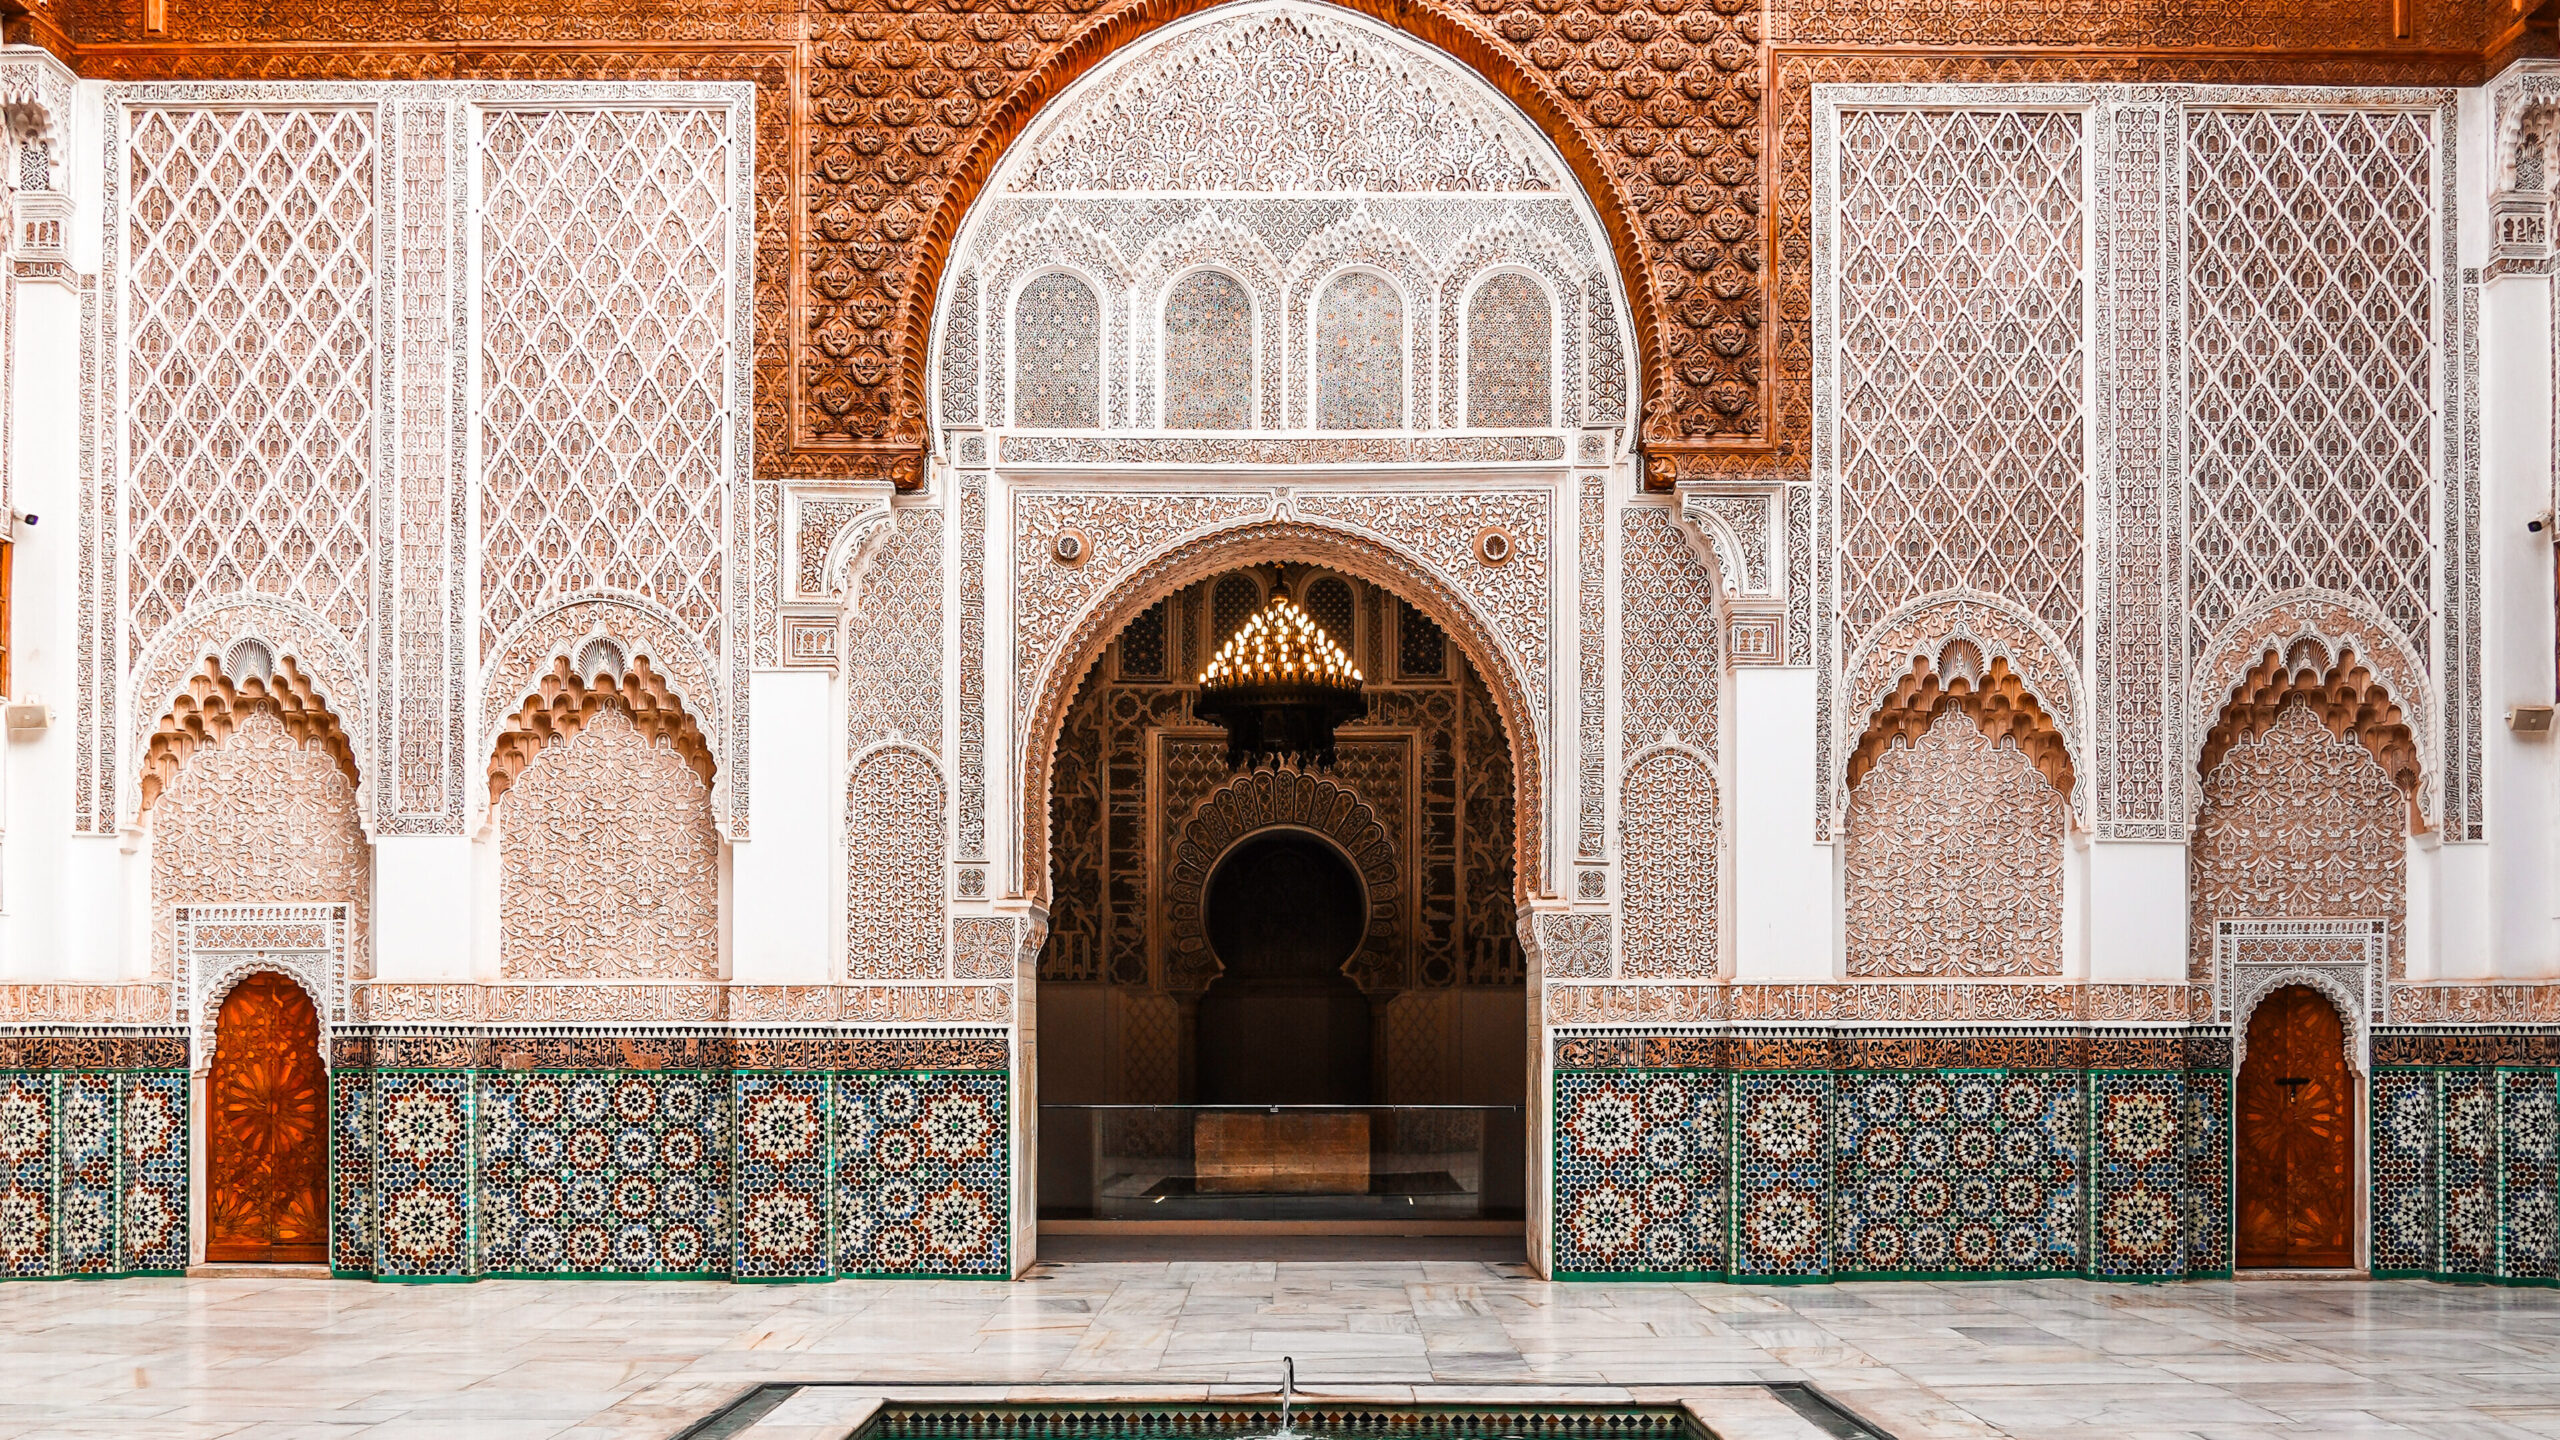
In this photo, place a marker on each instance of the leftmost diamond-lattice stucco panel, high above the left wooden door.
(252, 316)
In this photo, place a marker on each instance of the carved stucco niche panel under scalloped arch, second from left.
(608, 862)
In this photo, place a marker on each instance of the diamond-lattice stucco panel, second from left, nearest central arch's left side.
(605, 355)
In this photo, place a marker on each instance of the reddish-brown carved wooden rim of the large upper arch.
(1489, 58)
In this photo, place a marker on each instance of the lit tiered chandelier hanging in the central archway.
(1281, 685)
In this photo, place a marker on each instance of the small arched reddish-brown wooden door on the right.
(2298, 1136)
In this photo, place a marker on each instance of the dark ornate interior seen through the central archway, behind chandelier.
(1292, 995)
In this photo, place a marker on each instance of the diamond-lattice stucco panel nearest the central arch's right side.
(1962, 306)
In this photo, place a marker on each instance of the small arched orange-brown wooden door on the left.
(265, 1129)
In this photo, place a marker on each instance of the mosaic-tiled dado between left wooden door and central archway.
(470, 1154)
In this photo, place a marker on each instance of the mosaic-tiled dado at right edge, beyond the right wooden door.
(2464, 1134)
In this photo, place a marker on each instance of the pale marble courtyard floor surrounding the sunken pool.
(252, 1357)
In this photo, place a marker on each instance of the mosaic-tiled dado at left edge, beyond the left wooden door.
(93, 1152)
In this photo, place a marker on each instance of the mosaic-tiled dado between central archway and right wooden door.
(1801, 1157)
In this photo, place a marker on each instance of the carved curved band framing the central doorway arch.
(1204, 555)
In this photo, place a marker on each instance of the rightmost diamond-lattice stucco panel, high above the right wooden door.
(2310, 311)
